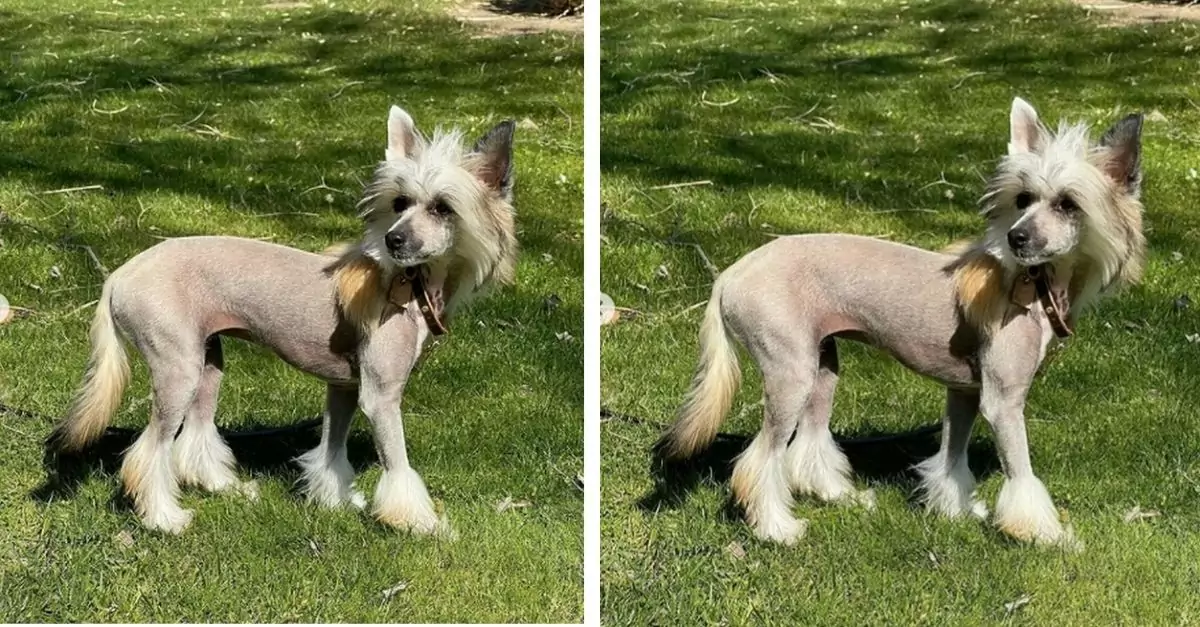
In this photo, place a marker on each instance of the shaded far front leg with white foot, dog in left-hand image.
(328, 476)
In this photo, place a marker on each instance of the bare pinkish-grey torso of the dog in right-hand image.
(832, 285)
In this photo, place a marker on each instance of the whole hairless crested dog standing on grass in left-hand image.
(439, 230)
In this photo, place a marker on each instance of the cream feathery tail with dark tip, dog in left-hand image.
(100, 396)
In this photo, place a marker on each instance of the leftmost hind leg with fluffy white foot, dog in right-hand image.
(760, 480)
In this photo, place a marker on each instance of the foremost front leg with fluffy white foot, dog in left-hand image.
(401, 499)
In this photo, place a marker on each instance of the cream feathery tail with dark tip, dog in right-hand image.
(711, 397)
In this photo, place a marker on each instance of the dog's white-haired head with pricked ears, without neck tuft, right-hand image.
(1059, 195)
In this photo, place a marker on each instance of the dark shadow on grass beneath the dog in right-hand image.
(879, 459)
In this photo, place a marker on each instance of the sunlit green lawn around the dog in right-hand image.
(881, 118)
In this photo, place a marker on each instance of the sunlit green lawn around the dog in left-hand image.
(225, 118)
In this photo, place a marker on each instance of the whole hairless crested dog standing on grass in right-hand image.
(1064, 229)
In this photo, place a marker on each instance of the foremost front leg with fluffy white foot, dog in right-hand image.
(1024, 509)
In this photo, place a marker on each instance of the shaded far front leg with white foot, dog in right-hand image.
(947, 486)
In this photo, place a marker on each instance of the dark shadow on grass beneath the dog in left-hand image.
(261, 451)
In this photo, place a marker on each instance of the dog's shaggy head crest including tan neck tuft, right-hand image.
(1057, 199)
